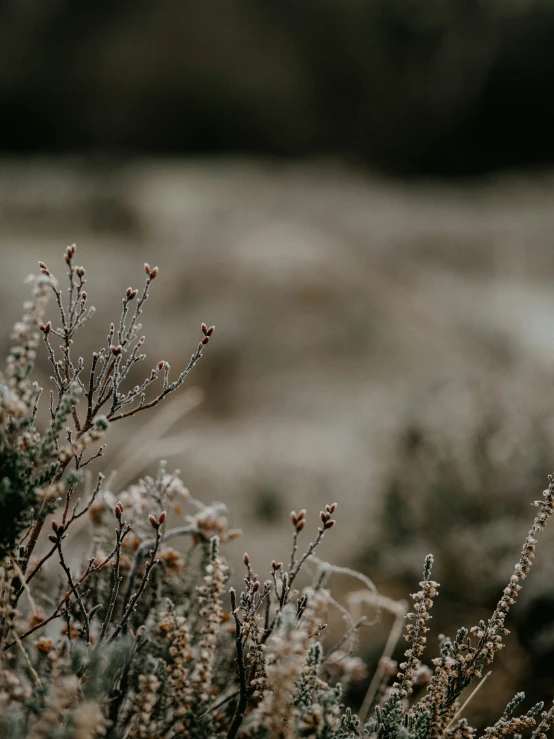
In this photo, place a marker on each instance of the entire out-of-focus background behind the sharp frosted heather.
(359, 195)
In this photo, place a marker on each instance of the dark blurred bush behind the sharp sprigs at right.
(462, 490)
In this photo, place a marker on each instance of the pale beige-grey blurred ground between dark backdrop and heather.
(385, 345)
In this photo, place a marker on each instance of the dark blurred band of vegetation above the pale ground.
(411, 86)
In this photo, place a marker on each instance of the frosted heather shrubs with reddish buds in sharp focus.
(106, 630)
